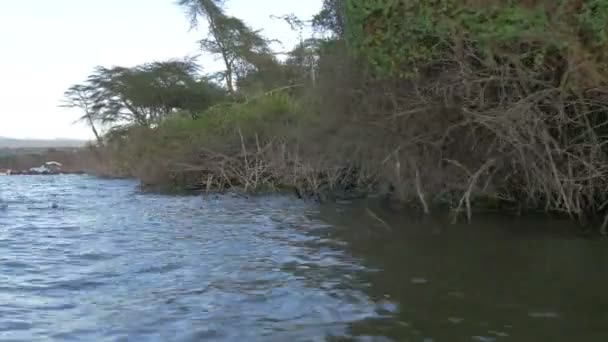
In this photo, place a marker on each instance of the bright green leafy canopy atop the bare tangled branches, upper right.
(400, 36)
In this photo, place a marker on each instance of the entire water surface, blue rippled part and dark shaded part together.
(84, 259)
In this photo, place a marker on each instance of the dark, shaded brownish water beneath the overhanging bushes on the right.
(498, 279)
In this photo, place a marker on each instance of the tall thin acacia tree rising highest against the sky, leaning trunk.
(242, 49)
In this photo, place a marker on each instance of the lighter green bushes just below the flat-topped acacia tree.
(180, 138)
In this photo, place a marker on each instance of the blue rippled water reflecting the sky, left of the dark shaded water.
(128, 266)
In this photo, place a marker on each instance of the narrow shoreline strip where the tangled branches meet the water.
(385, 201)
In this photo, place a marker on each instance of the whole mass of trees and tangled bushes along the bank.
(462, 103)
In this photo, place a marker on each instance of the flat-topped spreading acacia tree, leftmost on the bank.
(143, 95)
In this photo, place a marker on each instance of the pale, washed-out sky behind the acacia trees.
(47, 46)
